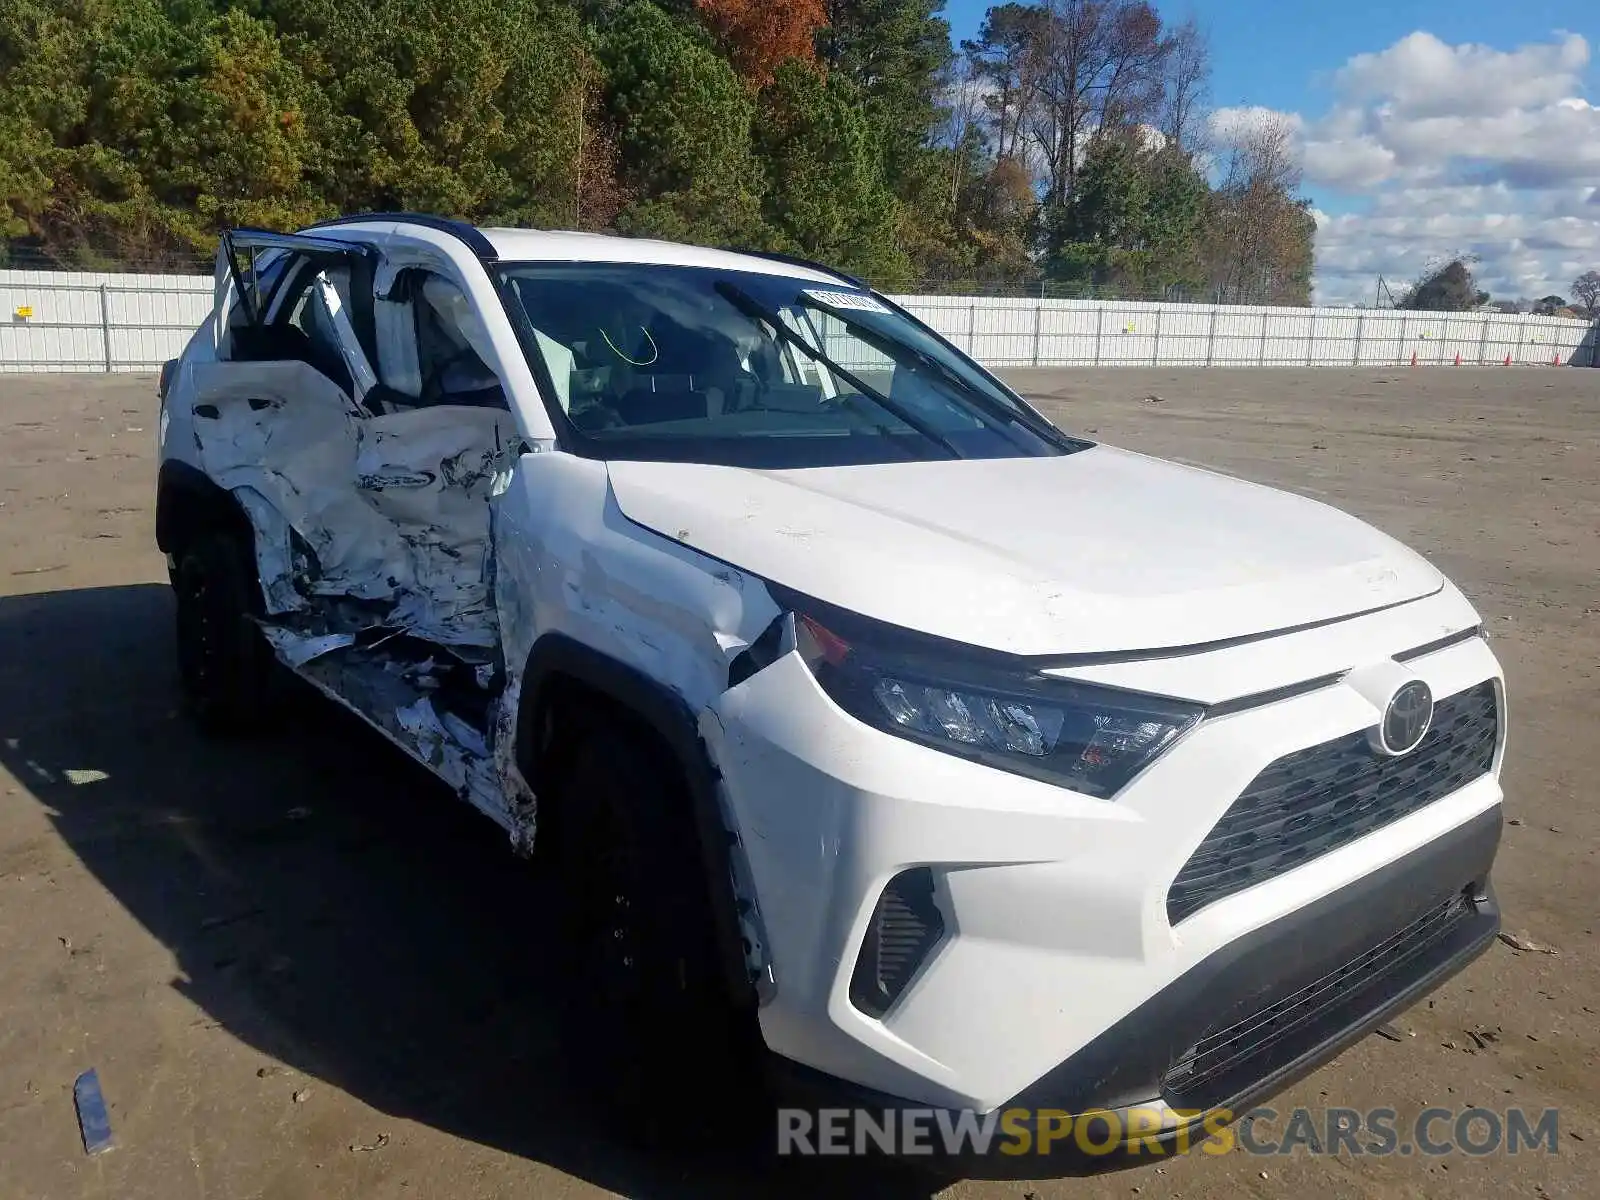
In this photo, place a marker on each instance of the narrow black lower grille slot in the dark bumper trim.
(1249, 1050)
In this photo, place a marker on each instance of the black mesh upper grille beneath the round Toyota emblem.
(1316, 801)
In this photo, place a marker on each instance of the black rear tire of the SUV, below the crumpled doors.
(225, 665)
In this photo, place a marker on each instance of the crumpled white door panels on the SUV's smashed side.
(388, 508)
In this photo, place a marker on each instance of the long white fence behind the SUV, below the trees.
(89, 322)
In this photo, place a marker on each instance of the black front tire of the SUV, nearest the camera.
(674, 1057)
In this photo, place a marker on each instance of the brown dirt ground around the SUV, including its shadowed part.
(303, 972)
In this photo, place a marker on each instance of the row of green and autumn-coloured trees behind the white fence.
(1063, 138)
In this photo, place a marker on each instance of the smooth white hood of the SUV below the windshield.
(1079, 554)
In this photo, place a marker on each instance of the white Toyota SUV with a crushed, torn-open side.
(889, 746)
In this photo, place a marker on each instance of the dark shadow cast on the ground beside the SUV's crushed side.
(329, 903)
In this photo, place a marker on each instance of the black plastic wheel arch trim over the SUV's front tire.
(559, 665)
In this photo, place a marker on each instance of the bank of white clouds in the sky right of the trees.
(1455, 148)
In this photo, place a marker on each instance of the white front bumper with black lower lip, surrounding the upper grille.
(1057, 924)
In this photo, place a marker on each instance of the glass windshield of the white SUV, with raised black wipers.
(742, 369)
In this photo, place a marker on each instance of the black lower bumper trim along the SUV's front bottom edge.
(1262, 1012)
